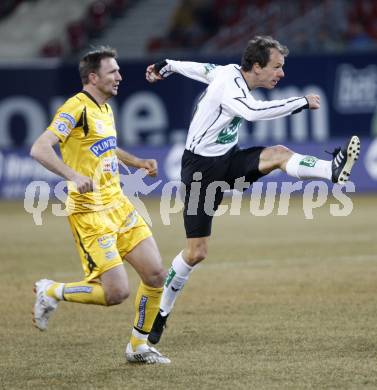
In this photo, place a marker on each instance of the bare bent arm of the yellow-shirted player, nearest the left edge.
(43, 151)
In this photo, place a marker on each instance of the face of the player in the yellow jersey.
(108, 77)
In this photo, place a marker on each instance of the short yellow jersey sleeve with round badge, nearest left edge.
(66, 118)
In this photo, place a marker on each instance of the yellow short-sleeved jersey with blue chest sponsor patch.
(87, 135)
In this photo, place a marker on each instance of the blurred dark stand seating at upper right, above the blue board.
(340, 25)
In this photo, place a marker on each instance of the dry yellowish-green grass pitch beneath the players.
(282, 302)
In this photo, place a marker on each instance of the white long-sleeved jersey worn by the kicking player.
(226, 101)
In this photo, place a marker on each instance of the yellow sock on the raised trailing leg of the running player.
(79, 292)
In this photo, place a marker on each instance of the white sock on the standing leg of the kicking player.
(177, 277)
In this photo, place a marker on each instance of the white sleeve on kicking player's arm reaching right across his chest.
(240, 102)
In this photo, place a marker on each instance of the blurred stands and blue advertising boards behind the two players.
(333, 53)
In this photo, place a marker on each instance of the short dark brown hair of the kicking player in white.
(258, 51)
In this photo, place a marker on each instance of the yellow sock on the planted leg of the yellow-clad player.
(147, 305)
